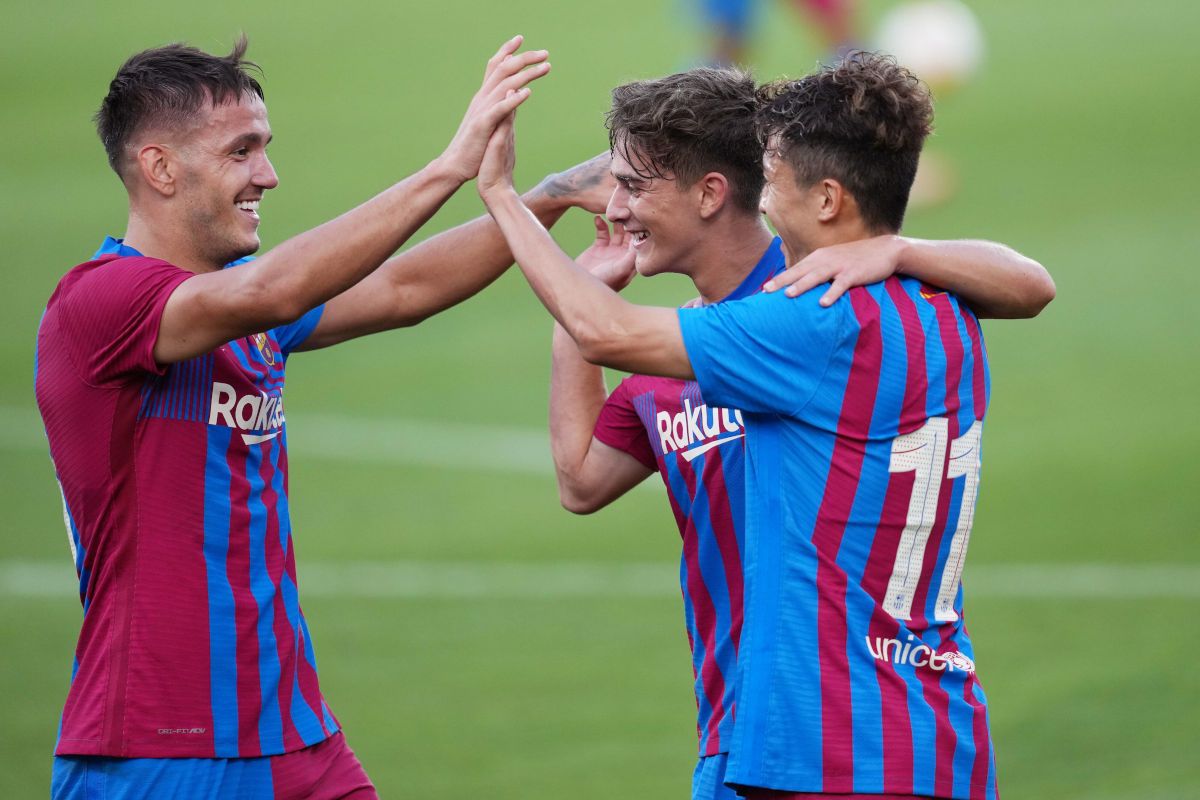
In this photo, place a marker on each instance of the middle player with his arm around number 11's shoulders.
(700, 127)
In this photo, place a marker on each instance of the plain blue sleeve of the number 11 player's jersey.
(764, 354)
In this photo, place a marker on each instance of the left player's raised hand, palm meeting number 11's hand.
(505, 88)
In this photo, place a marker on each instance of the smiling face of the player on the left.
(226, 172)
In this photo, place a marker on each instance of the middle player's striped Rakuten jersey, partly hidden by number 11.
(698, 449)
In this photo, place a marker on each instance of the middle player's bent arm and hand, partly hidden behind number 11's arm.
(591, 473)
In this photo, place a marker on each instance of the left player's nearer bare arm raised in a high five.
(215, 308)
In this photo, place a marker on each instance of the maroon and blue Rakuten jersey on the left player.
(175, 485)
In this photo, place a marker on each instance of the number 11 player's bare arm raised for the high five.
(609, 330)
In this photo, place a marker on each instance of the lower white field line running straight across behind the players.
(441, 580)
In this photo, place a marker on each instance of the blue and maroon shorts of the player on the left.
(328, 771)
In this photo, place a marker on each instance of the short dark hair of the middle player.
(691, 124)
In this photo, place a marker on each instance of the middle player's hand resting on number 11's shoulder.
(844, 267)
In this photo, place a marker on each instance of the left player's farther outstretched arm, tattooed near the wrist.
(454, 266)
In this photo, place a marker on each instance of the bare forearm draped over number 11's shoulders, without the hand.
(995, 281)
